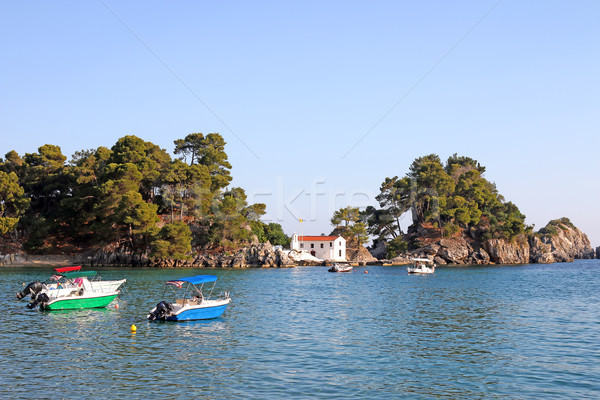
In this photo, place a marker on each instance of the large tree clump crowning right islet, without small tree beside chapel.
(448, 197)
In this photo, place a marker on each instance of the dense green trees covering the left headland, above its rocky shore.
(133, 194)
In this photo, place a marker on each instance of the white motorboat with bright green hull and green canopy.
(80, 292)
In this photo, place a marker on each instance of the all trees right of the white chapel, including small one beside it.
(444, 200)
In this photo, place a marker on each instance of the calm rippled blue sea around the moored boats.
(517, 332)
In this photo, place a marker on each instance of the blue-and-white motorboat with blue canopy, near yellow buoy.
(190, 303)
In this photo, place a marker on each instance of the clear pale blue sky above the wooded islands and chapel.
(318, 101)
